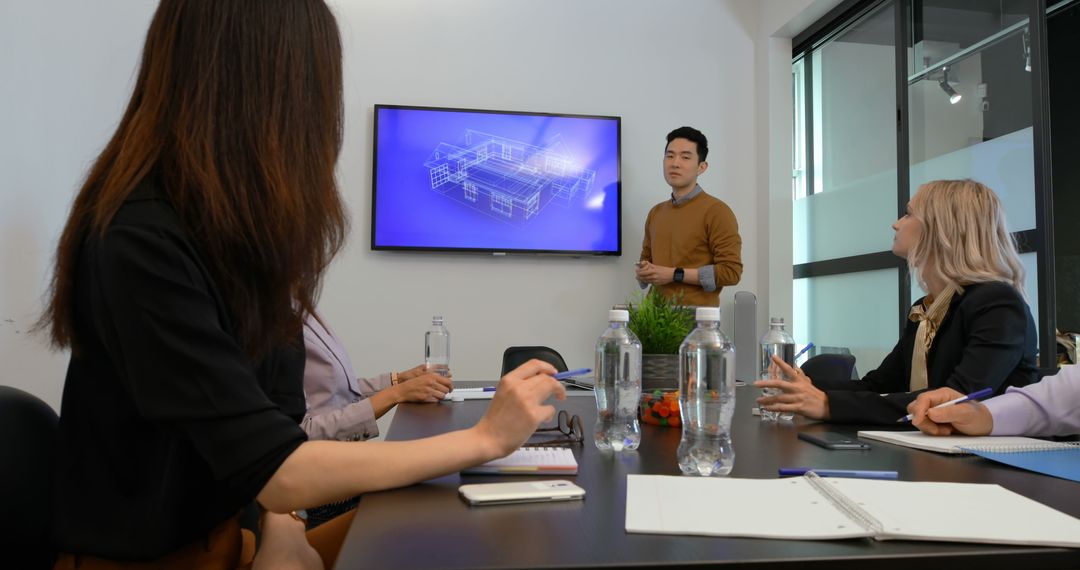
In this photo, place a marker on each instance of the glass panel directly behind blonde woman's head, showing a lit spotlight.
(970, 110)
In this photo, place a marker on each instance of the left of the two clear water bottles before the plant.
(618, 386)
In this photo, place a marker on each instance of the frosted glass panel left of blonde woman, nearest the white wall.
(852, 198)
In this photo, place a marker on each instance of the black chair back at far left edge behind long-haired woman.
(28, 446)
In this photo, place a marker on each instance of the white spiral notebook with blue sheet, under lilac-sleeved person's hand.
(1050, 458)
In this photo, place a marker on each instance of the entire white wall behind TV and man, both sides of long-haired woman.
(67, 69)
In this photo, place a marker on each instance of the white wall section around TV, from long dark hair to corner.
(605, 58)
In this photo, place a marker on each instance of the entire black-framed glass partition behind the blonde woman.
(944, 90)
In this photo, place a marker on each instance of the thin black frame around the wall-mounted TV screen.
(495, 251)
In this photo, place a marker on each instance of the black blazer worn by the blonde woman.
(988, 340)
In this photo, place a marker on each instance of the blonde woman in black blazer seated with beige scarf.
(973, 331)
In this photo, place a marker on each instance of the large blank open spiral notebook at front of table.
(825, 509)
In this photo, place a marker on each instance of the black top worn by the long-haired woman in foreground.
(167, 427)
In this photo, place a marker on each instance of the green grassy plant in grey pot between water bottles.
(661, 324)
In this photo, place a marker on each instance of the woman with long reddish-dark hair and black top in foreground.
(192, 253)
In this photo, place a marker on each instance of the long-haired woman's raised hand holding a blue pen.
(519, 408)
